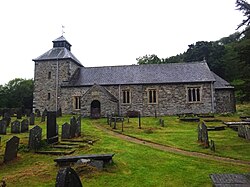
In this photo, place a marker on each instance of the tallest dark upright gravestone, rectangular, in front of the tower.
(52, 135)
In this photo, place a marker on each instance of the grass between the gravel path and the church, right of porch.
(184, 135)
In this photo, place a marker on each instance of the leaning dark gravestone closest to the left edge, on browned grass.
(11, 149)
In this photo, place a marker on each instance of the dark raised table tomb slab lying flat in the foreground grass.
(106, 158)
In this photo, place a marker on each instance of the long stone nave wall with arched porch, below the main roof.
(172, 99)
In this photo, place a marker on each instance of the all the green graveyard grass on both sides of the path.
(134, 165)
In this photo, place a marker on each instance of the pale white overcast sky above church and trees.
(110, 32)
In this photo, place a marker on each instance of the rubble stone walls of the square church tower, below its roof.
(44, 85)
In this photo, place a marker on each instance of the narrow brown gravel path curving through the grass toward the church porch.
(173, 149)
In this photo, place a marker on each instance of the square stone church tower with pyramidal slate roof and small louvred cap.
(52, 69)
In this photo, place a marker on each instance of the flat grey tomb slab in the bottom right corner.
(231, 179)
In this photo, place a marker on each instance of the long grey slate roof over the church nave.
(143, 74)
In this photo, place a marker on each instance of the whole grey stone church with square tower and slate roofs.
(61, 81)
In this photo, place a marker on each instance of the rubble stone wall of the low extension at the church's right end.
(225, 101)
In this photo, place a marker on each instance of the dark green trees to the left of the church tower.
(17, 93)
